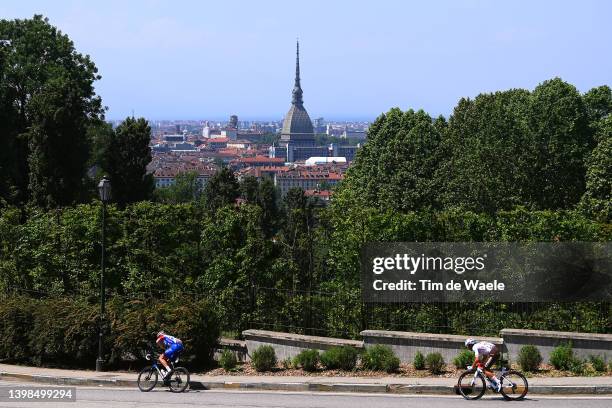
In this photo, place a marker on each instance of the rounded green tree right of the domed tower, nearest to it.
(394, 168)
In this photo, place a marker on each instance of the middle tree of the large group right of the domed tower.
(485, 152)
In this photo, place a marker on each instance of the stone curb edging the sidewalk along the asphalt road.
(307, 387)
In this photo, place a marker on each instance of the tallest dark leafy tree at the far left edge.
(47, 100)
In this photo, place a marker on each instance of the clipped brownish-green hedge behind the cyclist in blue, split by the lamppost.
(64, 331)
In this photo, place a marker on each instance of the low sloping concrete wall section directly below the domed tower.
(287, 345)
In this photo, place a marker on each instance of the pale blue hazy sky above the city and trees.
(209, 59)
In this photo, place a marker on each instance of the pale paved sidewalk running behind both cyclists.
(403, 385)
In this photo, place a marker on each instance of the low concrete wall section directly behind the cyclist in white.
(406, 344)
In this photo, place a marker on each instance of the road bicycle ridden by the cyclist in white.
(473, 384)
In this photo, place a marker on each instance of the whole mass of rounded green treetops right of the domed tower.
(496, 152)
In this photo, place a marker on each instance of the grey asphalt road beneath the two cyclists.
(89, 397)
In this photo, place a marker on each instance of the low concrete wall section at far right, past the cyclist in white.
(584, 344)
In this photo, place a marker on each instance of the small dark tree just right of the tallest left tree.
(125, 158)
